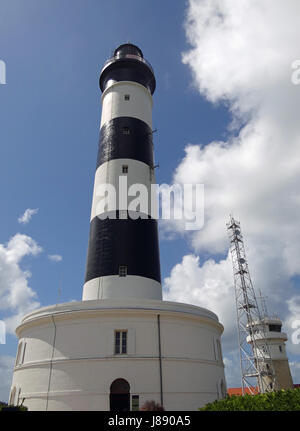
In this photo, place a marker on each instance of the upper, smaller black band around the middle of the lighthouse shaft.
(125, 138)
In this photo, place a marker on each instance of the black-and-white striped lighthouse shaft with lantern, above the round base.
(123, 253)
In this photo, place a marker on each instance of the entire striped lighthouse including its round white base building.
(121, 345)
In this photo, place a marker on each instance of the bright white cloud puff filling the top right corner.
(241, 52)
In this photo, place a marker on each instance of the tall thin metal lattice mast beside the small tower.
(255, 359)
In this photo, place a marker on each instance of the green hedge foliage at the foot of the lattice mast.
(280, 400)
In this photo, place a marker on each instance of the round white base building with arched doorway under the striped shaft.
(70, 356)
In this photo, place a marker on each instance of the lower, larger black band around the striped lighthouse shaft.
(133, 243)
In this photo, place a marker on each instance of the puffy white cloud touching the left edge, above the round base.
(16, 296)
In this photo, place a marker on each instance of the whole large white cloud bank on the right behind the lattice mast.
(241, 55)
